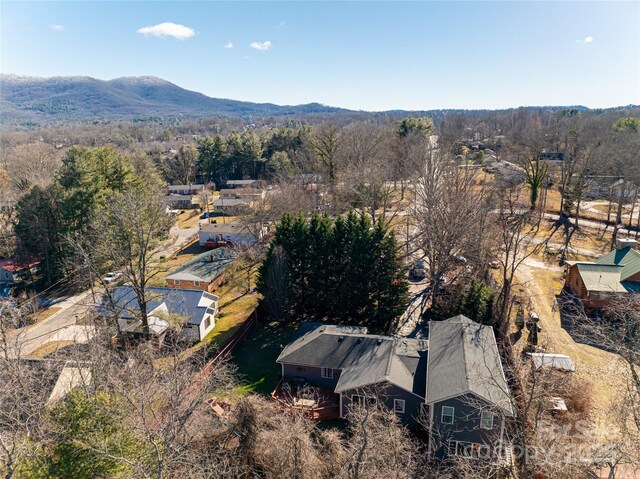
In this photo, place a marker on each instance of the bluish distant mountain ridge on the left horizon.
(26, 99)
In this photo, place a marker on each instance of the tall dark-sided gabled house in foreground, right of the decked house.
(467, 396)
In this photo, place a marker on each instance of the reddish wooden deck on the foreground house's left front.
(315, 403)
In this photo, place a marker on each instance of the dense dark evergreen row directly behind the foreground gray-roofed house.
(344, 270)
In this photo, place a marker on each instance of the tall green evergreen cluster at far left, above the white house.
(49, 219)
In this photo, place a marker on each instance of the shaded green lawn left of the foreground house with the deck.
(256, 358)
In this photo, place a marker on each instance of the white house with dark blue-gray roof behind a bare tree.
(197, 310)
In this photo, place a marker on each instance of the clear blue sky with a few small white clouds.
(361, 55)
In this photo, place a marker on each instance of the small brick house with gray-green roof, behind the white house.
(205, 272)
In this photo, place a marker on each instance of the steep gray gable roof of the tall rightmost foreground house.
(464, 358)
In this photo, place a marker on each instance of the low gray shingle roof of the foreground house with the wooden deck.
(364, 360)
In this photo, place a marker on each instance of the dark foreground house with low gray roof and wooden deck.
(349, 365)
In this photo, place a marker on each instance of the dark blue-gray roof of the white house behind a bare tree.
(182, 302)
